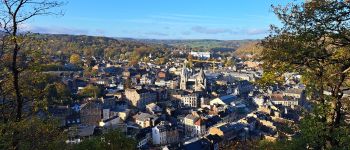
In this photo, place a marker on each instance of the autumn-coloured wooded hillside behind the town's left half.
(65, 45)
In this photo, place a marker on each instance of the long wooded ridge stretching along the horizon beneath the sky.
(62, 44)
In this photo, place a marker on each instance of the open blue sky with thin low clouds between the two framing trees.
(162, 19)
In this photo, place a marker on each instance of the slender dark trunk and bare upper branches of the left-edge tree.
(13, 14)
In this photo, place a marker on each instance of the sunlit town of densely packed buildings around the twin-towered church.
(194, 102)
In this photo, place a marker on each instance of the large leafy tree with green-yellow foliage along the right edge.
(314, 41)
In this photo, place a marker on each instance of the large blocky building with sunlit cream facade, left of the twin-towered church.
(140, 98)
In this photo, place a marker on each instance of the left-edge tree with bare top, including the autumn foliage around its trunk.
(13, 14)
